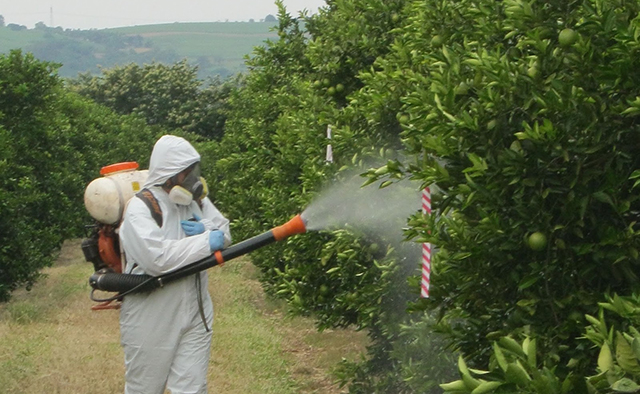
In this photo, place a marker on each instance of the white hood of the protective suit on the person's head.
(171, 154)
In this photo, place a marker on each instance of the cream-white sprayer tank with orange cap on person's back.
(105, 198)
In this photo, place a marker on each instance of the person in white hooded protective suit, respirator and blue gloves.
(166, 333)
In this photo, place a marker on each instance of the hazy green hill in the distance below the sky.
(218, 48)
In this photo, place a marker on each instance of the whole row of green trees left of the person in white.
(53, 144)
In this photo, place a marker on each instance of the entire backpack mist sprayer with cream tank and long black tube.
(106, 199)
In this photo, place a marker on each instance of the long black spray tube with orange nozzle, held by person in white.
(129, 283)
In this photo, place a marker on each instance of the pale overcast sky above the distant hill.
(100, 14)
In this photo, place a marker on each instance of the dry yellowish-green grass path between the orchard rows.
(51, 342)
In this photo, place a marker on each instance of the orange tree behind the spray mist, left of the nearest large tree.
(272, 165)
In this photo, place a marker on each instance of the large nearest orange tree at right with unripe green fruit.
(524, 116)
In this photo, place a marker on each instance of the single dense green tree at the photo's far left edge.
(31, 181)
